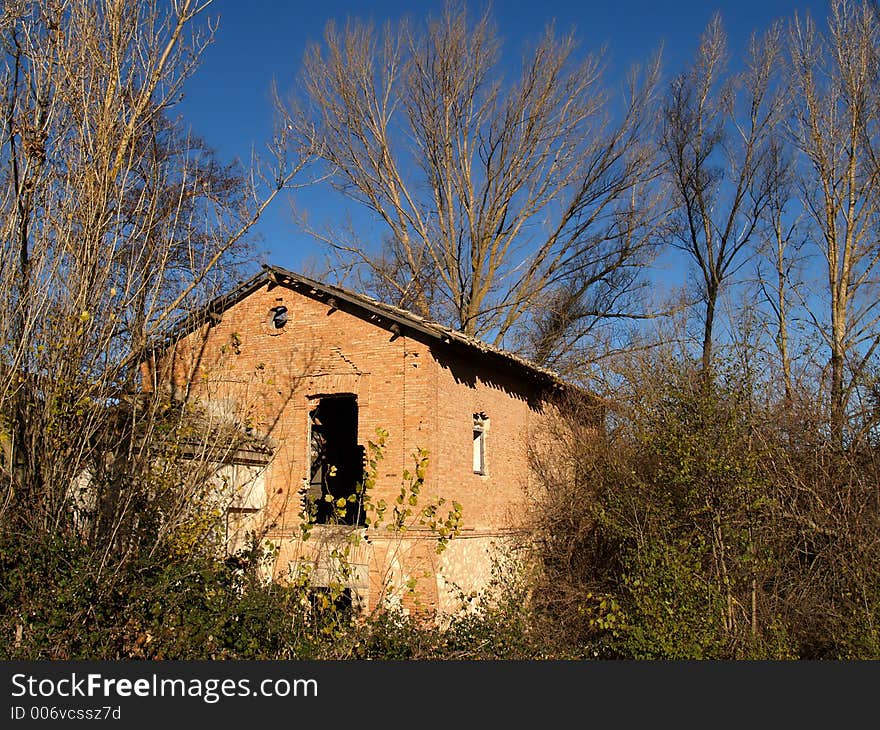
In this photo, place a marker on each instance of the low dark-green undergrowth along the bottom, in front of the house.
(57, 601)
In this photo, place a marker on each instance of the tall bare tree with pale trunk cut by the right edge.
(834, 124)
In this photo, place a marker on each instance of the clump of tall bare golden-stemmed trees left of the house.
(115, 220)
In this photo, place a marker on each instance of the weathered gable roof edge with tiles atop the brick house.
(395, 319)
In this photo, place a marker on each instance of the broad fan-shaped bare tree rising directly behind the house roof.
(497, 198)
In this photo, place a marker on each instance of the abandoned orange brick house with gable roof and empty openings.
(318, 369)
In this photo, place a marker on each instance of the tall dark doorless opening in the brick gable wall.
(336, 461)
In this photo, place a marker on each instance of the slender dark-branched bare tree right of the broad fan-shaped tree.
(716, 128)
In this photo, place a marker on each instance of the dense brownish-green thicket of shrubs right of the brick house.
(705, 526)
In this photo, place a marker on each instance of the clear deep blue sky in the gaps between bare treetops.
(228, 100)
